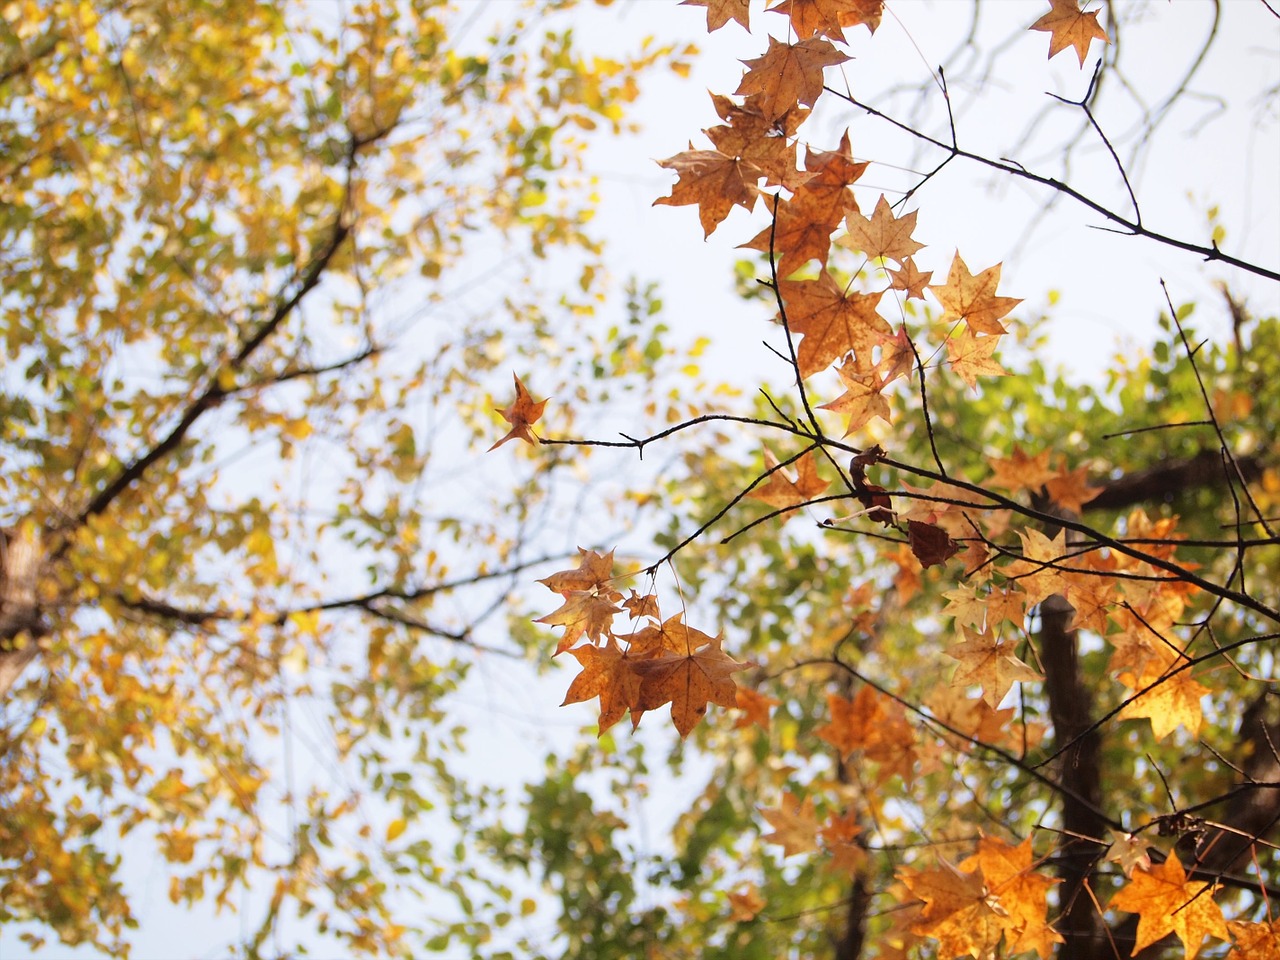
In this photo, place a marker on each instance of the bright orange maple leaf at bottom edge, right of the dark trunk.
(1168, 903)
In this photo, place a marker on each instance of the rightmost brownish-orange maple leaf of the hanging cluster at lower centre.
(689, 683)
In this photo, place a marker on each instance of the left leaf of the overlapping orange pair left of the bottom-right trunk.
(959, 911)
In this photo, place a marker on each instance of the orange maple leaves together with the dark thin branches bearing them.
(842, 281)
